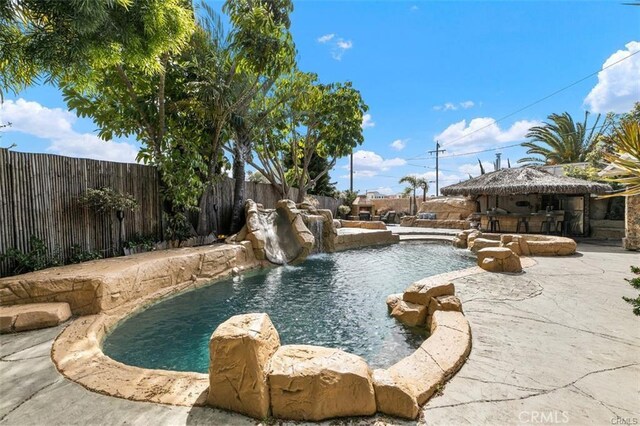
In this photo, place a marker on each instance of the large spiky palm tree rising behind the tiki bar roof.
(561, 140)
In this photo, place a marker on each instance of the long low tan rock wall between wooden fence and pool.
(102, 285)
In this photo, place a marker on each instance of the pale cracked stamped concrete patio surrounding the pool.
(553, 345)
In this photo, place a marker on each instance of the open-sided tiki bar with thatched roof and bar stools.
(529, 199)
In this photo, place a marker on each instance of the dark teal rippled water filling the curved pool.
(335, 300)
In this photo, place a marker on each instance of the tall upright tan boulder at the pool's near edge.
(240, 350)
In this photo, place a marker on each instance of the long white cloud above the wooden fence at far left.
(55, 125)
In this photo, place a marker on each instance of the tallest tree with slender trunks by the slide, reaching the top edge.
(257, 49)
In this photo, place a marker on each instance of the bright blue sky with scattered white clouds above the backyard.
(428, 70)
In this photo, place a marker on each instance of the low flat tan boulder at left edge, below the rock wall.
(33, 316)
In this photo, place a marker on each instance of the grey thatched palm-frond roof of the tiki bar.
(525, 180)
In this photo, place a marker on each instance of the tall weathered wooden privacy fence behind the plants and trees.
(39, 197)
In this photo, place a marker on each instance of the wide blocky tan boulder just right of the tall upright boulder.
(316, 383)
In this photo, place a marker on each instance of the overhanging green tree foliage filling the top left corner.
(74, 40)
